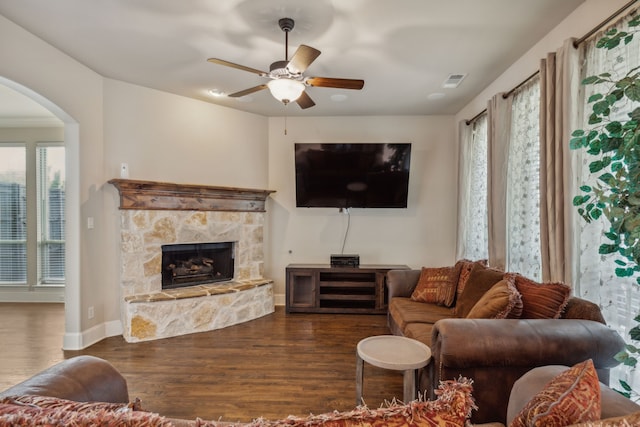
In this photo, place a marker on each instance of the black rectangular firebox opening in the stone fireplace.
(192, 264)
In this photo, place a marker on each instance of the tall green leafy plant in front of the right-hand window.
(613, 145)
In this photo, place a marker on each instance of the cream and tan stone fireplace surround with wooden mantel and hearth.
(156, 213)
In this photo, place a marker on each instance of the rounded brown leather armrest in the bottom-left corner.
(82, 379)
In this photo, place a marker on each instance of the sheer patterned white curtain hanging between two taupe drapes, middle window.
(523, 183)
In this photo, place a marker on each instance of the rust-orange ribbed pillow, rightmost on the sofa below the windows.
(541, 300)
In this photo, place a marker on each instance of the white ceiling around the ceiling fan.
(403, 49)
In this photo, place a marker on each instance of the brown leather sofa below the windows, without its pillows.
(496, 352)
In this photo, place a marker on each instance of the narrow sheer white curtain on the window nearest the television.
(472, 194)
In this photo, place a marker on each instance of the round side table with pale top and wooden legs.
(392, 352)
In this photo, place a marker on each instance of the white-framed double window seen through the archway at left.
(32, 246)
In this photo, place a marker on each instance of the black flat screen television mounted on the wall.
(364, 175)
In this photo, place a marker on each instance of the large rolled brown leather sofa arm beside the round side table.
(495, 353)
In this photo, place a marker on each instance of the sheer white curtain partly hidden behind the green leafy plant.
(619, 298)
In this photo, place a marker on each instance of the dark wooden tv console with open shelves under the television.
(320, 288)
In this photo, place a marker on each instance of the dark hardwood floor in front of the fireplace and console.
(272, 367)
